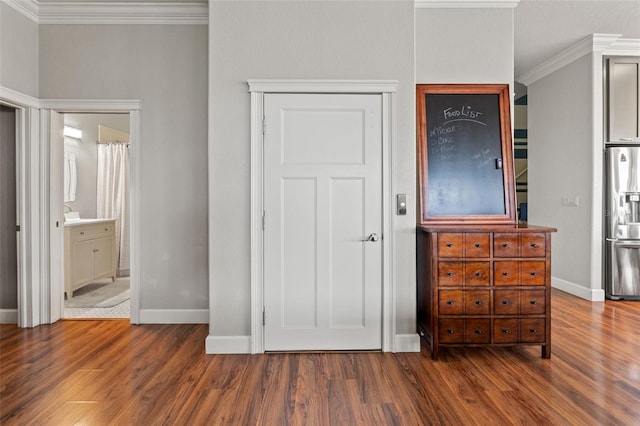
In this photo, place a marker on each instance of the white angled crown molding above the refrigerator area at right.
(608, 44)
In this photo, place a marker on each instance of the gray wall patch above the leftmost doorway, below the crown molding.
(19, 47)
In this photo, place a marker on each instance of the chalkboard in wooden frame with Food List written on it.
(465, 156)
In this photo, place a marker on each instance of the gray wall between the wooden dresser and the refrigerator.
(560, 134)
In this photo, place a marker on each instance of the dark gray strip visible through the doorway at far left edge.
(8, 247)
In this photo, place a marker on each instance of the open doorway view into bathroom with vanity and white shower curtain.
(96, 170)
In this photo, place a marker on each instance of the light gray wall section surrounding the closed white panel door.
(306, 40)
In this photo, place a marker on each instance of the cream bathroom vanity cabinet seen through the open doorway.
(89, 252)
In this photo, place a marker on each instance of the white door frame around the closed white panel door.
(258, 88)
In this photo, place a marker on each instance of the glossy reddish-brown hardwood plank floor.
(109, 372)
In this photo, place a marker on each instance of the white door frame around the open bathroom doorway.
(56, 278)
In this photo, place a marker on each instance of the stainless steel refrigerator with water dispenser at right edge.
(622, 214)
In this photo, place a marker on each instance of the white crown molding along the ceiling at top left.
(112, 12)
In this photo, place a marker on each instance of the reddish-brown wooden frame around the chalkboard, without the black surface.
(508, 215)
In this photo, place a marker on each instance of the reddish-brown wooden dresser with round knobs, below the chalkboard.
(484, 285)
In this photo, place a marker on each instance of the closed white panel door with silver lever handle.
(323, 200)
